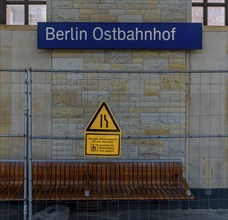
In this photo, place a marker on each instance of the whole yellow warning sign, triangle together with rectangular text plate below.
(103, 134)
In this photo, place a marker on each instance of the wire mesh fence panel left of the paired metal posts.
(12, 135)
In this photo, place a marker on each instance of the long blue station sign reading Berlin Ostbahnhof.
(163, 36)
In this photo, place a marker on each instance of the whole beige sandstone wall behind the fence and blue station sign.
(144, 104)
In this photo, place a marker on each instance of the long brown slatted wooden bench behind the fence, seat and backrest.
(96, 180)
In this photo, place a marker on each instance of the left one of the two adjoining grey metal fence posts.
(26, 146)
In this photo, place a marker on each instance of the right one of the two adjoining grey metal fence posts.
(30, 144)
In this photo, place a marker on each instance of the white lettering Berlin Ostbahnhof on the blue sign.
(116, 34)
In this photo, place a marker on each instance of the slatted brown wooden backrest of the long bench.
(108, 172)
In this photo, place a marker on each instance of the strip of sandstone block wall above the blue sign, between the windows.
(119, 10)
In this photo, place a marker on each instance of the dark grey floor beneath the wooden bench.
(15, 212)
